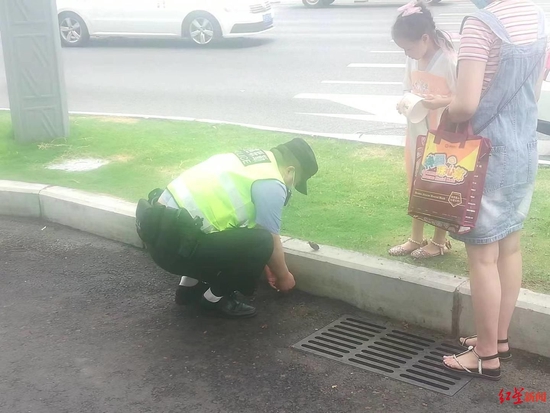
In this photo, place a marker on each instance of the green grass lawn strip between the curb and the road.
(357, 201)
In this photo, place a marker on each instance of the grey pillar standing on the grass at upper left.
(34, 70)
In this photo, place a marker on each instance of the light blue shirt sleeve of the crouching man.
(269, 198)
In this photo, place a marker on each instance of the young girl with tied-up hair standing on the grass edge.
(431, 73)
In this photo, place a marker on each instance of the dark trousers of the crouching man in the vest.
(231, 260)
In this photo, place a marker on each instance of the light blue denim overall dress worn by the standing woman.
(507, 115)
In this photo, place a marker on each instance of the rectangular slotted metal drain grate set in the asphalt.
(393, 353)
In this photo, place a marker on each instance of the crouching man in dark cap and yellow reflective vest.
(217, 225)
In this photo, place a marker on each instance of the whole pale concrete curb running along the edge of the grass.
(400, 291)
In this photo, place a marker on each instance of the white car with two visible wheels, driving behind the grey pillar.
(202, 21)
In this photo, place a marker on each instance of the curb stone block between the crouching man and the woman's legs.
(400, 291)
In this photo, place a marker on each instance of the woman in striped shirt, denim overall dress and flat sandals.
(506, 113)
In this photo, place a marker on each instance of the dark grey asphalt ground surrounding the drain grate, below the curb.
(89, 325)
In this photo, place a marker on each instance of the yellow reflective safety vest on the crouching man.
(219, 190)
